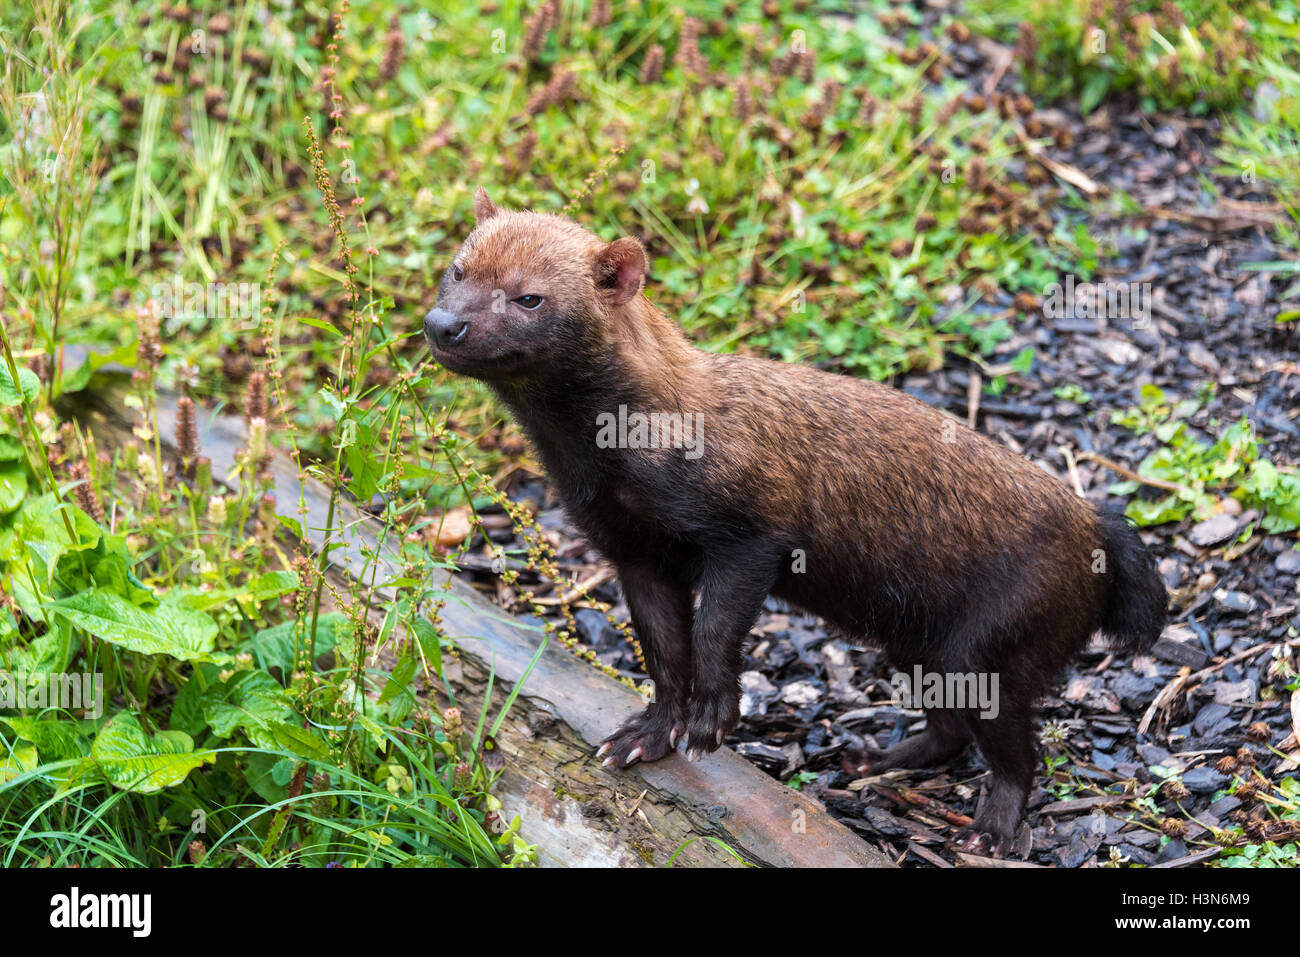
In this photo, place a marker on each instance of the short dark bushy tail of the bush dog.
(1137, 603)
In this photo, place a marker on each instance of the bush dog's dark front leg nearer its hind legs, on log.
(736, 581)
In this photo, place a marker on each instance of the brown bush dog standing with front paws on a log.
(844, 497)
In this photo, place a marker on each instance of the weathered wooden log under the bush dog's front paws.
(577, 812)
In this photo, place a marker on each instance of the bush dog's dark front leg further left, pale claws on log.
(661, 613)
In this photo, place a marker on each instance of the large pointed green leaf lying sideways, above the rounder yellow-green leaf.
(171, 630)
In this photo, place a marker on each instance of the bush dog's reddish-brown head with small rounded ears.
(531, 297)
